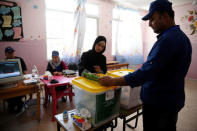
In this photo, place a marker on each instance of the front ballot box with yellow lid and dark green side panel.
(103, 103)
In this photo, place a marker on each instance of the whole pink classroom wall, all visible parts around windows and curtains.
(32, 48)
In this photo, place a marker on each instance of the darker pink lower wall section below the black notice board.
(33, 52)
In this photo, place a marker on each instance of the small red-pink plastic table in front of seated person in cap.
(50, 89)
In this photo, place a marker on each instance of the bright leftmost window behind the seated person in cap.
(59, 21)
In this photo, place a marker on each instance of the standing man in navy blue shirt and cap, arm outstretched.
(162, 75)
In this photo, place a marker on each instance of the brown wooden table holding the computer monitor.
(21, 90)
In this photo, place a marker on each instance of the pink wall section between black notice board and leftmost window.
(32, 48)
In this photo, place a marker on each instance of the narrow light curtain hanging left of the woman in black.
(72, 51)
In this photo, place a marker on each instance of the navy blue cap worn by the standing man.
(158, 5)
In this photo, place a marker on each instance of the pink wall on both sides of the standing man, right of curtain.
(180, 11)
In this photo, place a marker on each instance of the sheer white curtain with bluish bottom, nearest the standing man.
(127, 36)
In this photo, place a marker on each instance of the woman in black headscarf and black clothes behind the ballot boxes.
(93, 60)
